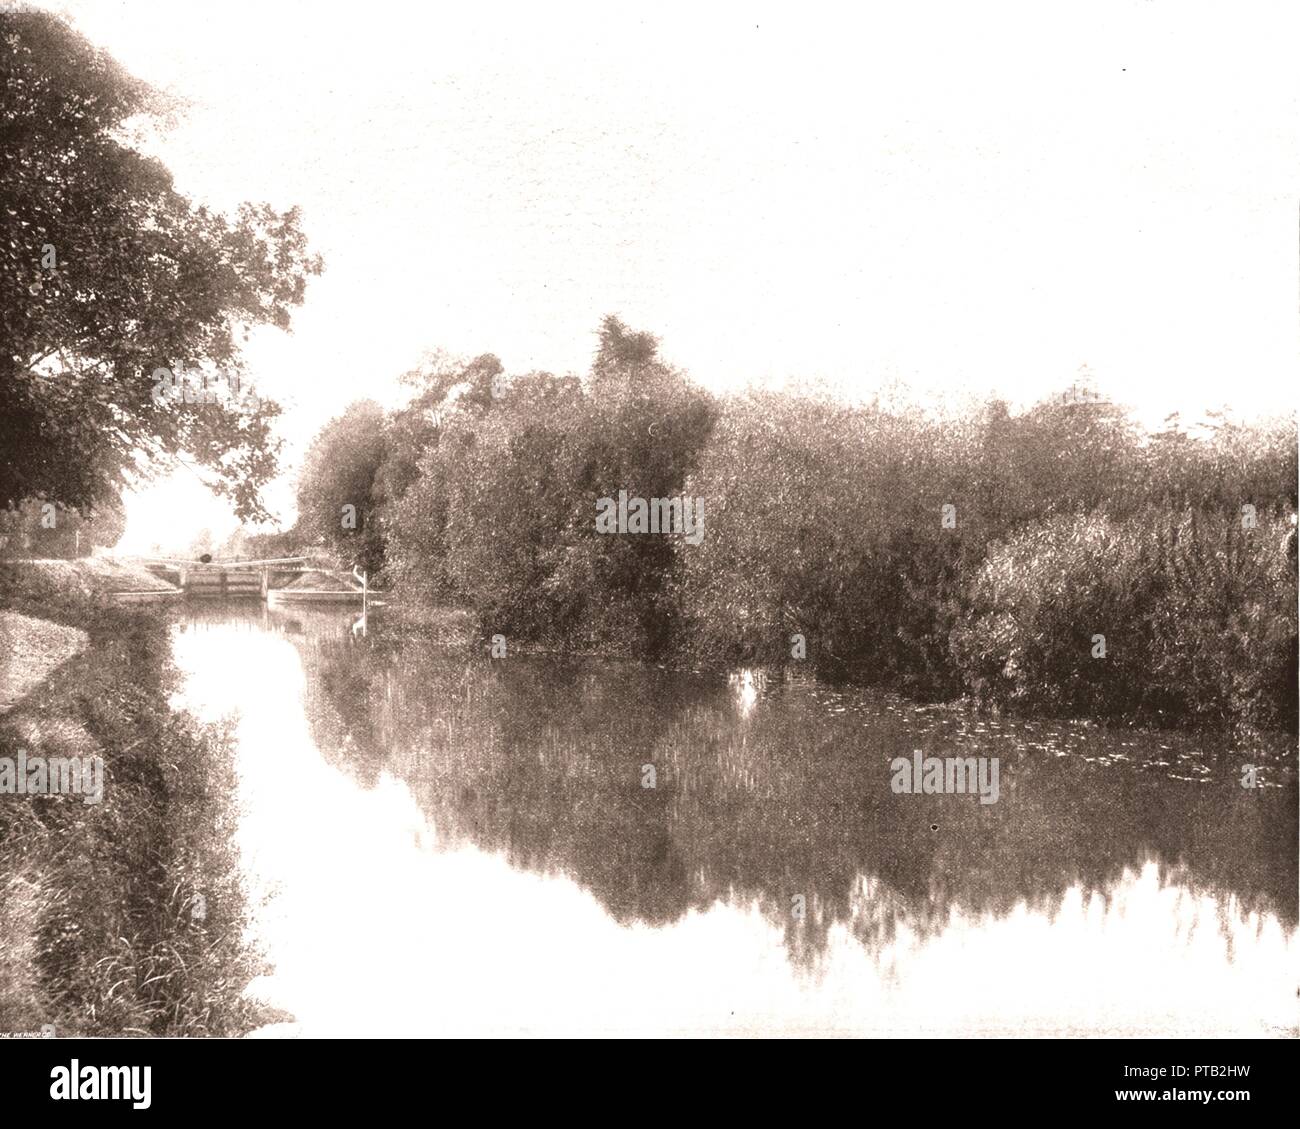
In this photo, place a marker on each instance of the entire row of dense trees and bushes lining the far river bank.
(1060, 560)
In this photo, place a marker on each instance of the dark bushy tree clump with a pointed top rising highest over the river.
(502, 505)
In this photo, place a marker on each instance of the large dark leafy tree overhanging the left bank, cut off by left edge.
(109, 274)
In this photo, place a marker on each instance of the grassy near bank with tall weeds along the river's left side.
(127, 916)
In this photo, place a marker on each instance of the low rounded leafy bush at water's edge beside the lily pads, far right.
(1198, 618)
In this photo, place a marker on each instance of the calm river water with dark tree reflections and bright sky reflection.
(439, 843)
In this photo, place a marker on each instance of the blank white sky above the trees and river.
(965, 197)
